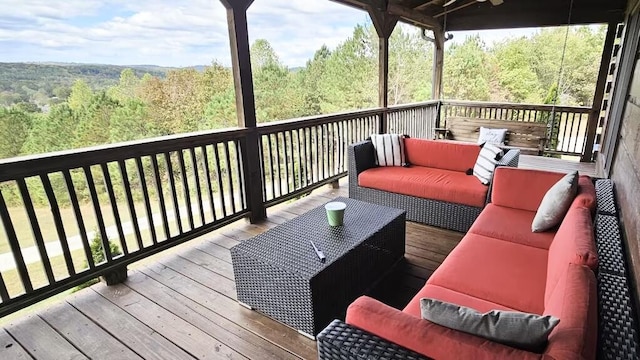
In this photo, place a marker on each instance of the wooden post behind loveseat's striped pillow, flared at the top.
(384, 24)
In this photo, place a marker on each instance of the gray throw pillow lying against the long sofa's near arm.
(517, 329)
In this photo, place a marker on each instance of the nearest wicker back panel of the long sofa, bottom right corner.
(618, 338)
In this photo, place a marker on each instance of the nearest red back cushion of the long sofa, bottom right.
(574, 302)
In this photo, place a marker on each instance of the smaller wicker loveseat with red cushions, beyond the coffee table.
(442, 164)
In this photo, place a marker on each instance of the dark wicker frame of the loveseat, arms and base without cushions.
(431, 212)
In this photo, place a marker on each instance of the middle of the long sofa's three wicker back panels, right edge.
(609, 244)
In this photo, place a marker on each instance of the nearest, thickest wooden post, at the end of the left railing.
(245, 104)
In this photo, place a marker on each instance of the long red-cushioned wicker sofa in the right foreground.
(499, 264)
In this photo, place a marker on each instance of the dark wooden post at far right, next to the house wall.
(596, 107)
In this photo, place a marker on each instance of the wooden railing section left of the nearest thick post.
(127, 201)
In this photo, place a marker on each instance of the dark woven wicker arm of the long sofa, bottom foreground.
(341, 341)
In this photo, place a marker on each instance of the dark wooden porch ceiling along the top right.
(476, 15)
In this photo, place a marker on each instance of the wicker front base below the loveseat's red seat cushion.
(426, 211)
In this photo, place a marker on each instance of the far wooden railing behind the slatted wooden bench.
(566, 125)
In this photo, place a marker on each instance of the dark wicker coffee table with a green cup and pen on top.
(279, 274)
